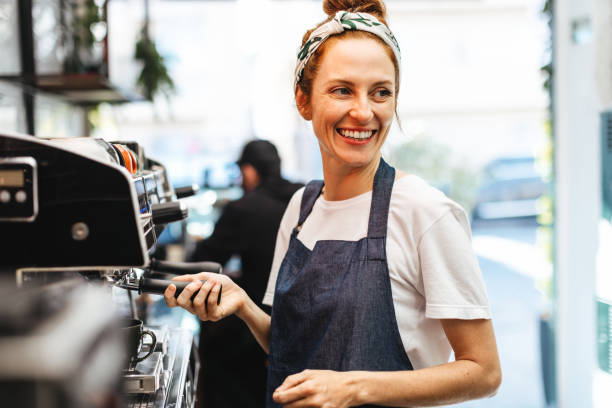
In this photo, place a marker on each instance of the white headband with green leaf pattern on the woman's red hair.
(343, 20)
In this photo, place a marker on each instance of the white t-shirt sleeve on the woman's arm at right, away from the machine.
(452, 280)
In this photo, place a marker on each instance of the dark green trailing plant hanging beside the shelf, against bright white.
(154, 77)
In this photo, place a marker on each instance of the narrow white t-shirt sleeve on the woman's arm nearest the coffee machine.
(289, 220)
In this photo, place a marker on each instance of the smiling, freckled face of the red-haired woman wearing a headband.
(352, 101)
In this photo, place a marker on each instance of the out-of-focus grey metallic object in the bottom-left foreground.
(59, 346)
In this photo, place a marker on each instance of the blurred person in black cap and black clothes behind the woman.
(233, 365)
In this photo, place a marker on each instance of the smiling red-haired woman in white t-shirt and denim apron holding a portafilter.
(374, 280)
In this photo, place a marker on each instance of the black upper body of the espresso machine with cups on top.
(80, 203)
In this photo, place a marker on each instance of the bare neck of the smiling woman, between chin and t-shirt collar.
(343, 182)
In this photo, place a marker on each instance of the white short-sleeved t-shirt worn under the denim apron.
(433, 270)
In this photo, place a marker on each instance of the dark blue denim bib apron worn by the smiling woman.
(333, 308)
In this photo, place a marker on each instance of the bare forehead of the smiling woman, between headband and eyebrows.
(351, 59)
